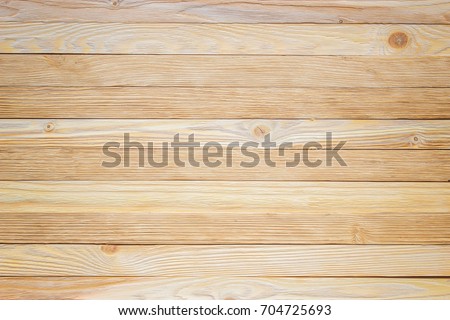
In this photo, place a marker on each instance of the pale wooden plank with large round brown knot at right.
(287, 39)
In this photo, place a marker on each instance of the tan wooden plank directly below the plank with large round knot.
(216, 71)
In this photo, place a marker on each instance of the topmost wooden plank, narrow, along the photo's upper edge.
(252, 11)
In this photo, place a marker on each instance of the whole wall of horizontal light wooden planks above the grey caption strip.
(76, 74)
